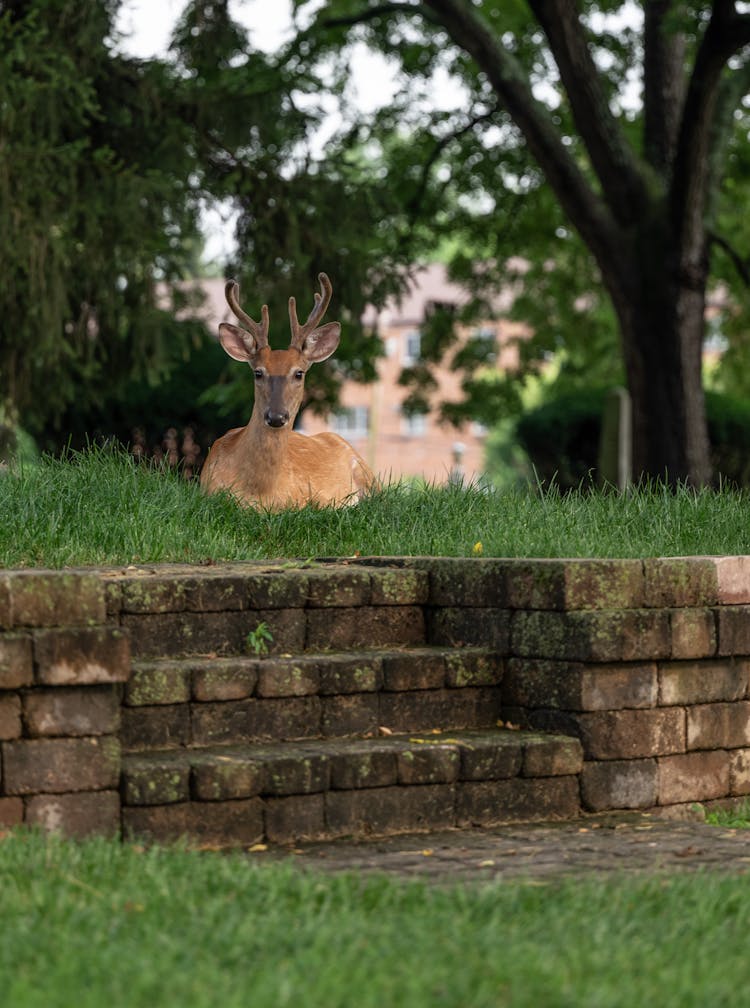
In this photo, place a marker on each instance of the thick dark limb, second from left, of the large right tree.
(612, 158)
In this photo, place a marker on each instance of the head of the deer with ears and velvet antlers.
(280, 374)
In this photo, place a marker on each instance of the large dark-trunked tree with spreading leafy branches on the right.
(642, 188)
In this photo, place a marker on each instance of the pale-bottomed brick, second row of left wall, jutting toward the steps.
(82, 657)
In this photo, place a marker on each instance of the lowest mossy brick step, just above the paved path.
(233, 796)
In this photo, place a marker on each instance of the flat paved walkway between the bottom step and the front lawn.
(538, 853)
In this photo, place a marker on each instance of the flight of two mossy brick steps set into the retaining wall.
(234, 749)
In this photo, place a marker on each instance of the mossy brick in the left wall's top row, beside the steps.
(55, 598)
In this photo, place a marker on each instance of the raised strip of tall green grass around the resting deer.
(99, 508)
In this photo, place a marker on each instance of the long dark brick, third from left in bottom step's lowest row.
(383, 811)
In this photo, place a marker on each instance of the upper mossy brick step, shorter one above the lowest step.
(202, 702)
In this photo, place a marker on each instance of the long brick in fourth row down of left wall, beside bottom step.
(58, 766)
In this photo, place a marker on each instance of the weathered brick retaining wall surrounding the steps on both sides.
(648, 663)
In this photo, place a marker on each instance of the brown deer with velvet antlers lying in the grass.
(267, 464)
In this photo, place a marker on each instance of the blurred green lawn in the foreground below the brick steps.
(100, 924)
